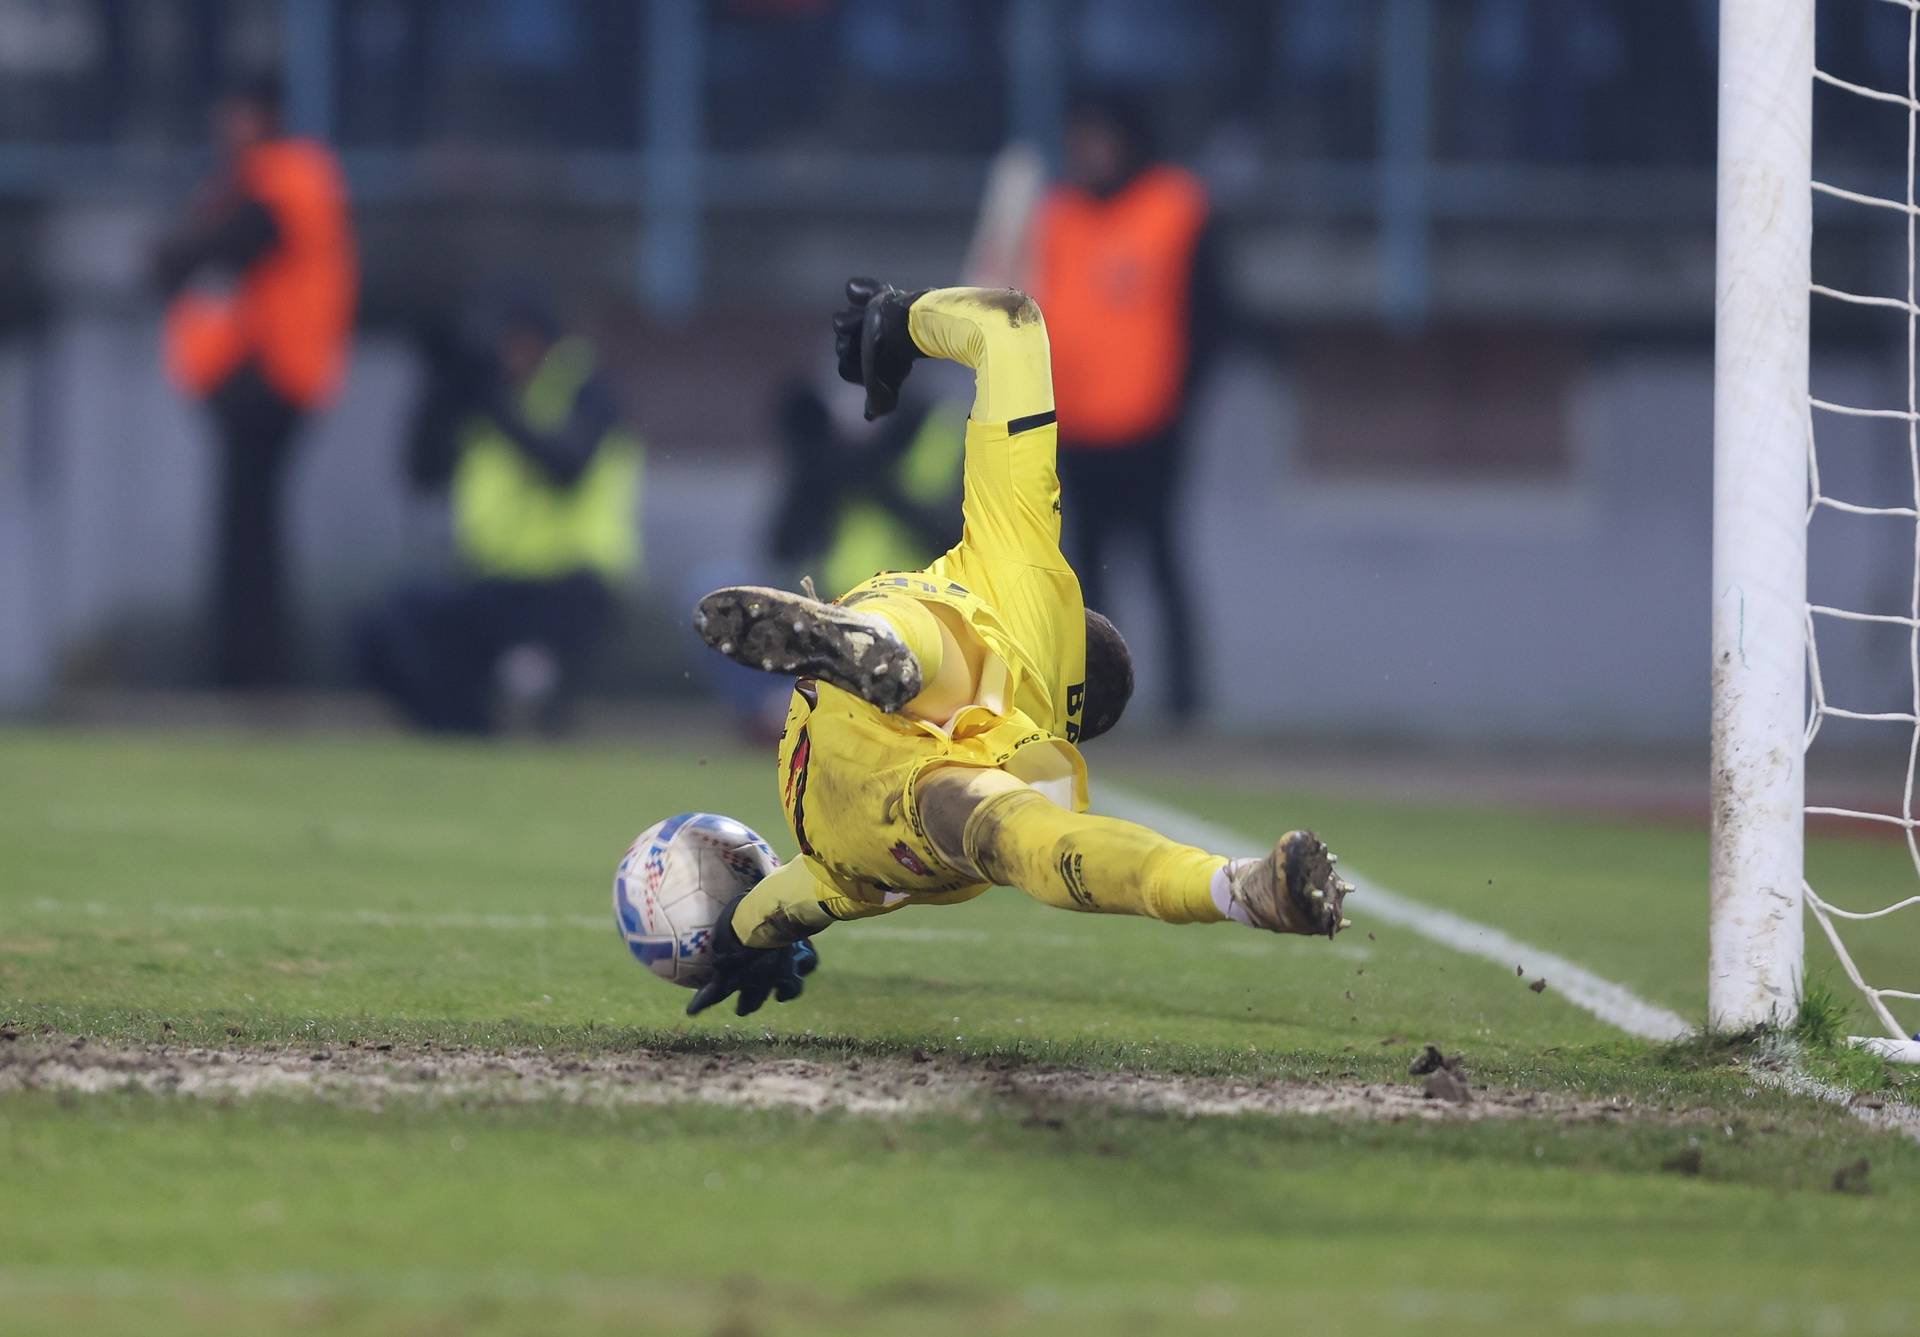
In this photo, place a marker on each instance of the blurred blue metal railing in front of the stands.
(675, 176)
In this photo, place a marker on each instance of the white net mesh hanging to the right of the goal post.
(1836, 921)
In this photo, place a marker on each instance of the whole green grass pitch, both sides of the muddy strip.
(308, 896)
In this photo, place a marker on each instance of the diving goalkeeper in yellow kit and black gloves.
(932, 739)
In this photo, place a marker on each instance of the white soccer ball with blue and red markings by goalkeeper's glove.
(675, 881)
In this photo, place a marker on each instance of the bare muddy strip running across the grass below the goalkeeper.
(375, 1077)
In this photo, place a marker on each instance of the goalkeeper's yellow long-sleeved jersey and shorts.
(848, 771)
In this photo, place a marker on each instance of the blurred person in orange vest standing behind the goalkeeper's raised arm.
(1126, 266)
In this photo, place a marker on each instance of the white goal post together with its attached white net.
(1765, 493)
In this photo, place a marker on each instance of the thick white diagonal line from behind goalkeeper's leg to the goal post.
(1610, 1002)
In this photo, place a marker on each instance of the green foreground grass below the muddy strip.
(1130, 1225)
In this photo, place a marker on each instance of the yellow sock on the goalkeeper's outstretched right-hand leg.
(1090, 863)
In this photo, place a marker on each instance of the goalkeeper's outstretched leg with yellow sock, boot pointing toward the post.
(999, 829)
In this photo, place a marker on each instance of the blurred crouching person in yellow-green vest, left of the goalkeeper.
(544, 481)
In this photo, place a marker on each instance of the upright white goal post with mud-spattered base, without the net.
(1762, 429)
